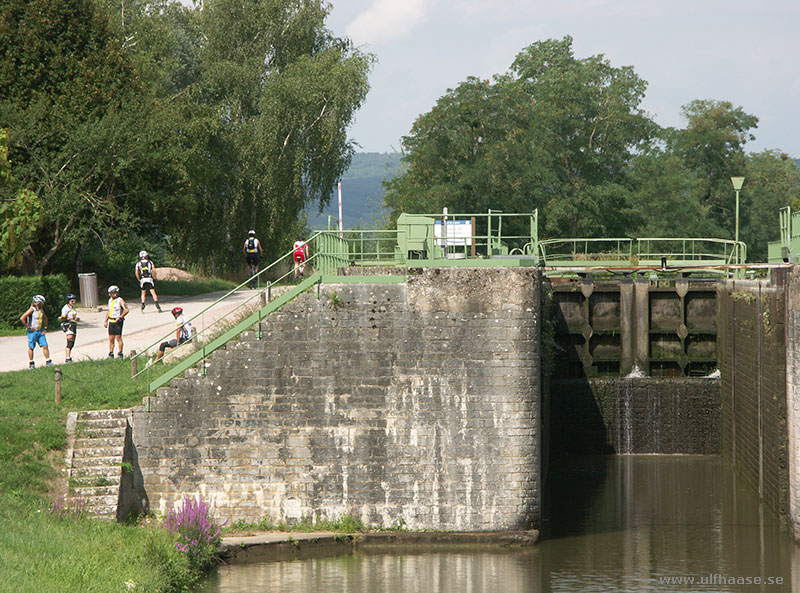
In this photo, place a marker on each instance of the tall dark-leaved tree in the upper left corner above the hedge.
(80, 125)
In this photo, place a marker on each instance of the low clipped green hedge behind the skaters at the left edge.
(16, 293)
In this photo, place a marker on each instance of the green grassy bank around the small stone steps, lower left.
(38, 551)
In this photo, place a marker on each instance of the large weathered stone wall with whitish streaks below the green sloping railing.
(414, 404)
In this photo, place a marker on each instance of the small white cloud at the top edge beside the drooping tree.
(387, 20)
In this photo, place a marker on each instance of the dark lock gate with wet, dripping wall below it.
(634, 367)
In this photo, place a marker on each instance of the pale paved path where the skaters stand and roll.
(142, 328)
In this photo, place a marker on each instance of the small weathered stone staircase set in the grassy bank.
(95, 452)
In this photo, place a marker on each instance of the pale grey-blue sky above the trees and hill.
(745, 52)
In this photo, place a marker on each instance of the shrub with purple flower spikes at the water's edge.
(197, 533)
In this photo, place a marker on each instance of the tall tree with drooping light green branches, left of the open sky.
(282, 90)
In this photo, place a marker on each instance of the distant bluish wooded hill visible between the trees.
(362, 192)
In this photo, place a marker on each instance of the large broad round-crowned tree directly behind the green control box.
(556, 133)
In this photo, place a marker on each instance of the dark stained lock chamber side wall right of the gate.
(754, 341)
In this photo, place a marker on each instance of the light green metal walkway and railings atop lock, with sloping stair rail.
(441, 240)
